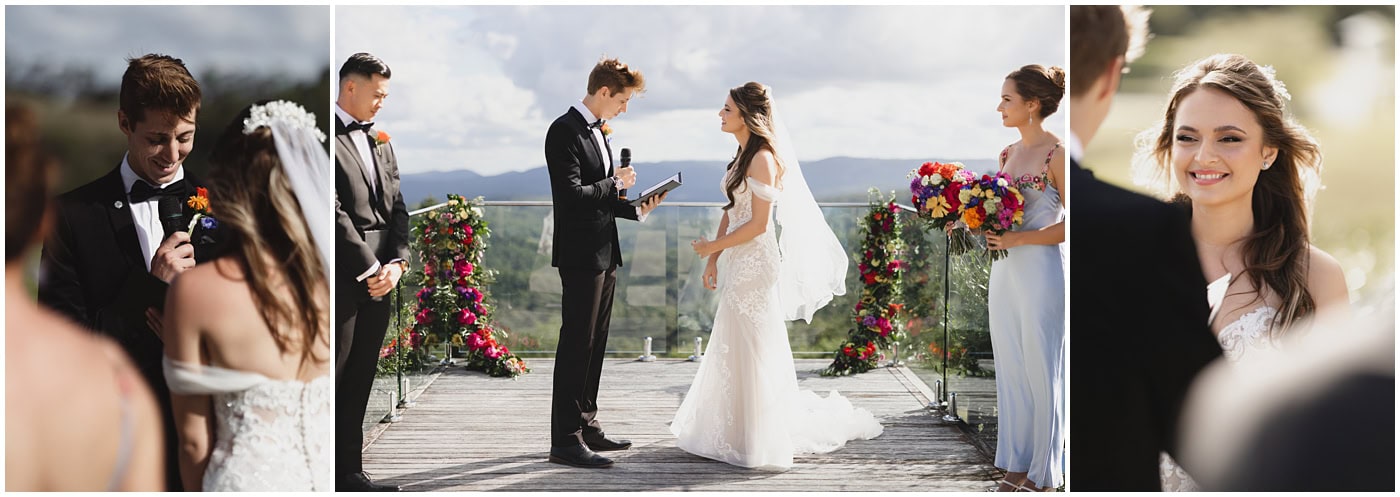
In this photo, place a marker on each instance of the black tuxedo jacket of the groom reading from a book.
(586, 198)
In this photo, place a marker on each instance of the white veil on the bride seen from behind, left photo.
(306, 164)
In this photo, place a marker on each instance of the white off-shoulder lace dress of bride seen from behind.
(269, 435)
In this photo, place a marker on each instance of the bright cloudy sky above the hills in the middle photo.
(477, 87)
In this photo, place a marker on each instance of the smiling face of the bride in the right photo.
(1219, 149)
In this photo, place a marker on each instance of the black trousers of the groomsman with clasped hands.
(360, 327)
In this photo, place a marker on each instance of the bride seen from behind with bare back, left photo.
(248, 335)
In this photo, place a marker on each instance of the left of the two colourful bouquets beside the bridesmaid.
(936, 190)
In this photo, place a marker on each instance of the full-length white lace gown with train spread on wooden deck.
(744, 407)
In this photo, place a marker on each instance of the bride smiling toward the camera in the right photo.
(1248, 176)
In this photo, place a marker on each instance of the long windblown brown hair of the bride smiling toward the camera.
(1276, 253)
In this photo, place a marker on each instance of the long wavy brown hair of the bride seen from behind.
(267, 234)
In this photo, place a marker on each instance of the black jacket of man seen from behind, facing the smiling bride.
(1139, 334)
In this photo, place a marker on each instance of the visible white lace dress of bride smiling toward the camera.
(1245, 335)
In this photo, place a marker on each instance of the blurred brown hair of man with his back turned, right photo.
(1101, 34)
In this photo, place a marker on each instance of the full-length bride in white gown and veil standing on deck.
(744, 407)
